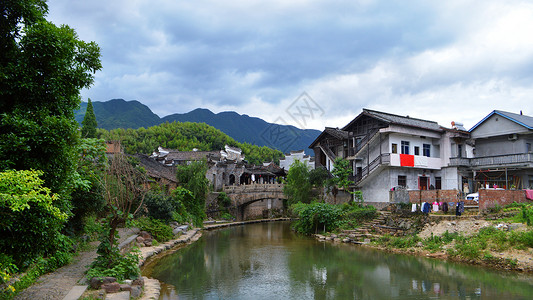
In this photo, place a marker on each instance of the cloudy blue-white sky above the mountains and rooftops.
(278, 60)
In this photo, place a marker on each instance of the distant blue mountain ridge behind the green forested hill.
(118, 113)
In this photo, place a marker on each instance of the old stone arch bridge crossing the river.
(253, 200)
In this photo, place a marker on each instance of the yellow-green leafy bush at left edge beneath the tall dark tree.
(30, 223)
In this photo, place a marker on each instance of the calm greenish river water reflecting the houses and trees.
(269, 261)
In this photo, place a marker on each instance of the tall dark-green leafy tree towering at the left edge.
(43, 68)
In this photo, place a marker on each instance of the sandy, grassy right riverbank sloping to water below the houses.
(441, 239)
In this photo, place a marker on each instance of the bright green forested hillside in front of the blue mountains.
(185, 137)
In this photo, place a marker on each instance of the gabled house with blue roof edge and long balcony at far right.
(503, 155)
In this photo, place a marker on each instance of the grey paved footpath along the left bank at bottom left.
(58, 284)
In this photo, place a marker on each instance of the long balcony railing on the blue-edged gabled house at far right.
(497, 160)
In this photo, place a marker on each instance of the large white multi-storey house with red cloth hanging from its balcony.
(388, 151)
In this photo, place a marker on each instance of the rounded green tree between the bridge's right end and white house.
(298, 186)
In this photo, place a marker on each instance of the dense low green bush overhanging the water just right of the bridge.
(316, 216)
